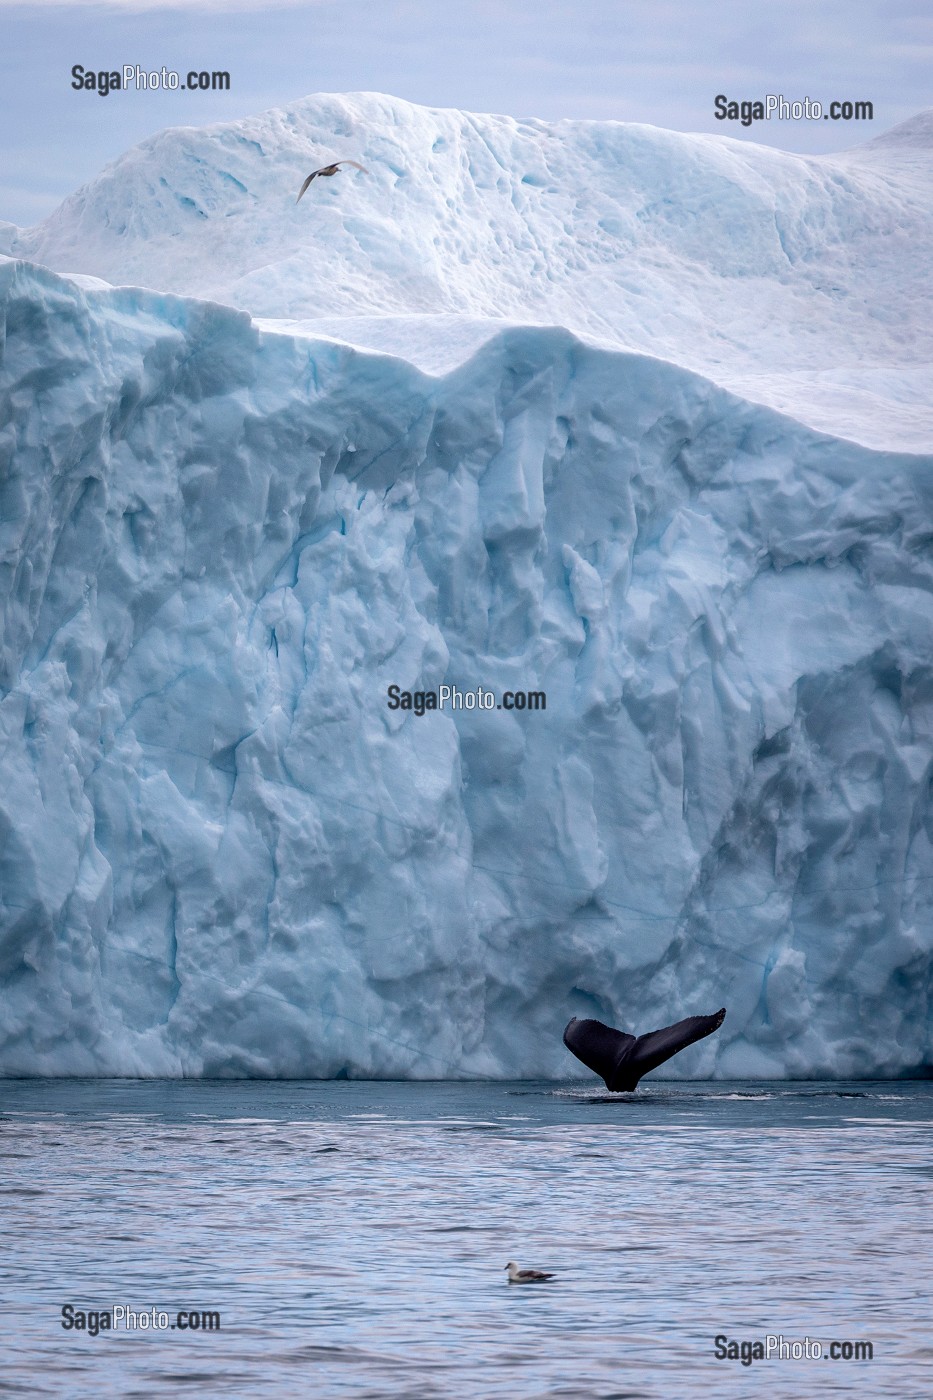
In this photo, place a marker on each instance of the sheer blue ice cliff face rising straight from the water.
(221, 853)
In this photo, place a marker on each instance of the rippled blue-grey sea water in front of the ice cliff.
(352, 1238)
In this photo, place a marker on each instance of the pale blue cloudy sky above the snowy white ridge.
(662, 62)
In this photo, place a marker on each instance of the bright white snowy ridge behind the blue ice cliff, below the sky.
(799, 282)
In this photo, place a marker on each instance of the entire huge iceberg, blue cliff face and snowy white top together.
(257, 472)
